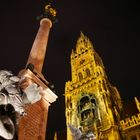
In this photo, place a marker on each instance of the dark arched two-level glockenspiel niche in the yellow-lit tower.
(87, 110)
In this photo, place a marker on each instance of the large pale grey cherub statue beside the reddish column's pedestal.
(14, 95)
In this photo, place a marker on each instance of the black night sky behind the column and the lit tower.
(112, 25)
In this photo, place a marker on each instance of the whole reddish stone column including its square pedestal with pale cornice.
(33, 125)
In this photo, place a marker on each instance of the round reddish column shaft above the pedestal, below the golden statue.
(38, 51)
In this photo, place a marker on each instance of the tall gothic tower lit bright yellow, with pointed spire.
(93, 105)
